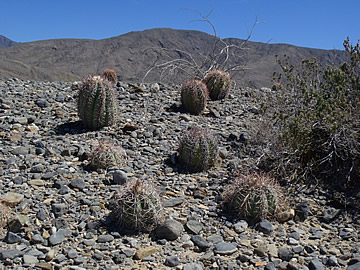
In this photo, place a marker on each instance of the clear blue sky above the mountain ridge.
(310, 23)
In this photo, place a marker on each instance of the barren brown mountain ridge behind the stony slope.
(134, 53)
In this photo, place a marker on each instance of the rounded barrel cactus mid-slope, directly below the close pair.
(198, 149)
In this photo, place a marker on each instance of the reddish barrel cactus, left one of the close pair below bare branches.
(194, 96)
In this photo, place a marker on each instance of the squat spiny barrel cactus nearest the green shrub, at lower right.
(254, 196)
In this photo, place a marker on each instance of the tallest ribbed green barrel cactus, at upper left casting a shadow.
(97, 104)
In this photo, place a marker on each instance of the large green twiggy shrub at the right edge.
(317, 113)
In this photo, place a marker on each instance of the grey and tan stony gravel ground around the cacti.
(60, 207)
